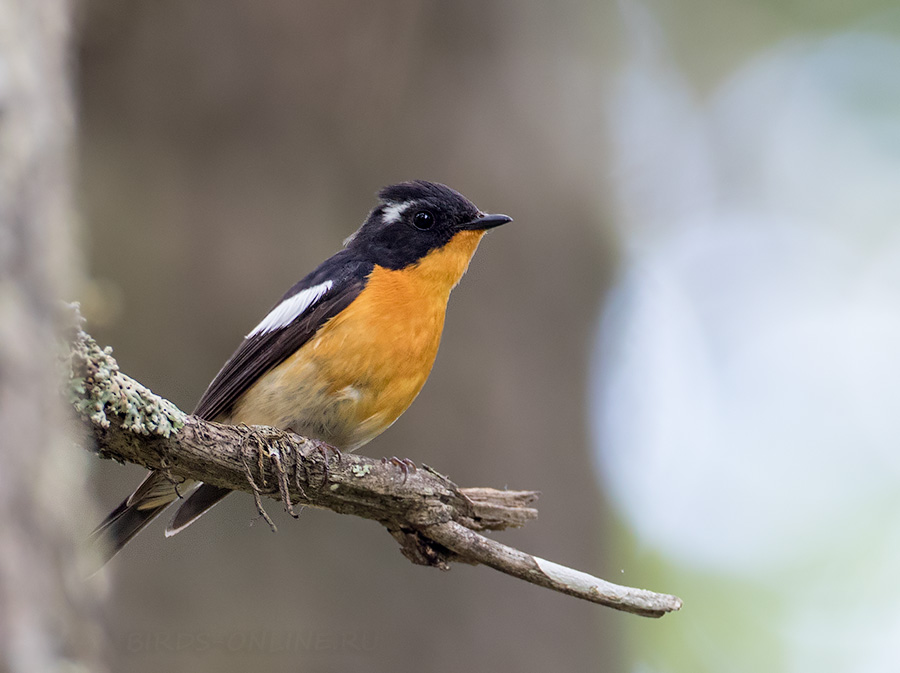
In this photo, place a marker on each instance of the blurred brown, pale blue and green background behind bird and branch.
(687, 340)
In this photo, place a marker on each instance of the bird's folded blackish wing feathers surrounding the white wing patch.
(260, 352)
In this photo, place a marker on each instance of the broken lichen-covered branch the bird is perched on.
(434, 521)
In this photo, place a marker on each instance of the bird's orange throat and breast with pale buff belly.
(365, 366)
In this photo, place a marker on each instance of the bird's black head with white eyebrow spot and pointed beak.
(415, 218)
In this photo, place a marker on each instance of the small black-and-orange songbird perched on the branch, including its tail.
(344, 352)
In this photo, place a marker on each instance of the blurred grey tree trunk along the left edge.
(45, 618)
